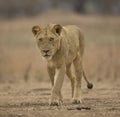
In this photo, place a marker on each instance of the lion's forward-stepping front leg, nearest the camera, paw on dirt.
(56, 97)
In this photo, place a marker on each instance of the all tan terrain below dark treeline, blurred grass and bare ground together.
(20, 62)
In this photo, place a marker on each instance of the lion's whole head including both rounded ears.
(48, 39)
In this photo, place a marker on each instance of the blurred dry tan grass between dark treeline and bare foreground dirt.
(20, 58)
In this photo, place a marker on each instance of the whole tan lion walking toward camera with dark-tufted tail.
(62, 46)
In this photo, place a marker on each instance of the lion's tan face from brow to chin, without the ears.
(48, 44)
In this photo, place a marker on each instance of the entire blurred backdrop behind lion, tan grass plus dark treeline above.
(99, 19)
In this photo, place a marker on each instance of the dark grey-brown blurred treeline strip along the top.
(18, 8)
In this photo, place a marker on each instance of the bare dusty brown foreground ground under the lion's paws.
(31, 100)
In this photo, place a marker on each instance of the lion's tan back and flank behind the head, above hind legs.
(75, 41)
